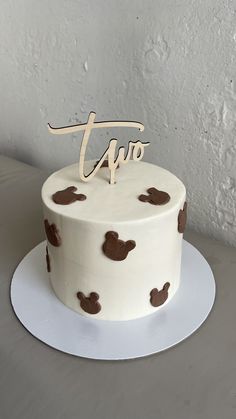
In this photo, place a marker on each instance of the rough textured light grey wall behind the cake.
(167, 63)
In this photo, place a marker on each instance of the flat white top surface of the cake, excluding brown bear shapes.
(114, 203)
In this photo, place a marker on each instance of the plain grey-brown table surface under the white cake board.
(195, 379)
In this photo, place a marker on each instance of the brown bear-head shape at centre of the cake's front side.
(116, 249)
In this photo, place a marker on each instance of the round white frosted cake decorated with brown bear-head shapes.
(114, 251)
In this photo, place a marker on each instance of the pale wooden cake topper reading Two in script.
(135, 148)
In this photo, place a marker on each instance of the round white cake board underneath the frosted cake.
(52, 322)
